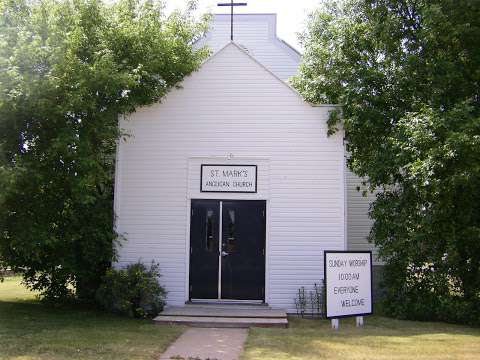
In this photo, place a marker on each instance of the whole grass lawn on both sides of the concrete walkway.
(30, 330)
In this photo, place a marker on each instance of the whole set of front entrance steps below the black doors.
(223, 316)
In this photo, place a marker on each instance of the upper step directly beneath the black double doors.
(224, 312)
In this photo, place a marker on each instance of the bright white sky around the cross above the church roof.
(291, 14)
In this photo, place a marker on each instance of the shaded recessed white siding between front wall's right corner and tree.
(358, 221)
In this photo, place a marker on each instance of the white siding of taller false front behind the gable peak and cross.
(256, 33)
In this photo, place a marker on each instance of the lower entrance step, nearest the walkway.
(221, 322)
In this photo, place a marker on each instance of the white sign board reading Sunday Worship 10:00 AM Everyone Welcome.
(348, 283)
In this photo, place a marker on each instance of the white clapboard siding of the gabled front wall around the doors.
(232, 110)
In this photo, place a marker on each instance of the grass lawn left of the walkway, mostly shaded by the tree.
(30, 330)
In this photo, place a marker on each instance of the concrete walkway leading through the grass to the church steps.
(205, 343)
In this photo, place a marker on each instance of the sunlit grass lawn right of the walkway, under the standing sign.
(381, 339)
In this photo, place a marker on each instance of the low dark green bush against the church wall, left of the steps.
(133, 291)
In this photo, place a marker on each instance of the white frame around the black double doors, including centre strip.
(187, 251)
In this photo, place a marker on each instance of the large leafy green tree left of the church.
(68, 70)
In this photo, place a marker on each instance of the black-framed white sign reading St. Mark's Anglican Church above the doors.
(228, 178)
